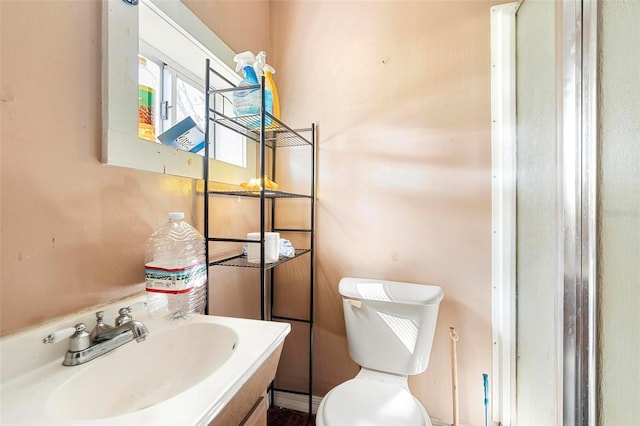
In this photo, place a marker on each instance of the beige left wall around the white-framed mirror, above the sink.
(73, 229)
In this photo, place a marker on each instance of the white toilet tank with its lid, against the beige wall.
(390, 324)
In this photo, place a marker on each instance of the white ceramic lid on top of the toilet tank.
(390, 291)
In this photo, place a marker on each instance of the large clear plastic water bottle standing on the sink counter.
(175, 270)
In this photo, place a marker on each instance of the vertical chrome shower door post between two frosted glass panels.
(578, 136)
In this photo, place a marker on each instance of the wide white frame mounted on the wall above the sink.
(121, 145)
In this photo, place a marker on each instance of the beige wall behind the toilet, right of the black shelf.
(400, 91)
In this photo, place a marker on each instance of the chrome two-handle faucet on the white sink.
(84, 346)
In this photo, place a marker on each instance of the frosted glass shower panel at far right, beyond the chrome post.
(619, 213)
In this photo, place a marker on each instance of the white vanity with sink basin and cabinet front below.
(206, 370)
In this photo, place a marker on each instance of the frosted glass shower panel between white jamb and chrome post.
(537, 213)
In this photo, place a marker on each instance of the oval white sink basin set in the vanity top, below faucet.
(142, 375)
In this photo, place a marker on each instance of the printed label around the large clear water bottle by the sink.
(174, 280)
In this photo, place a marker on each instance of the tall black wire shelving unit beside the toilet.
(273, 136)
